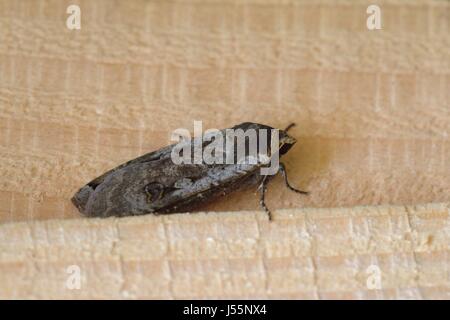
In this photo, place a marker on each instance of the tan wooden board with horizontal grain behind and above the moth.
(372, 107)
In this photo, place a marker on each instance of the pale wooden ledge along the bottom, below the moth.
(303, 254)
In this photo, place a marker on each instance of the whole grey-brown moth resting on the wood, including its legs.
(155, 183)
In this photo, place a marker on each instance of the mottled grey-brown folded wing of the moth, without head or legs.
(153, 183)
